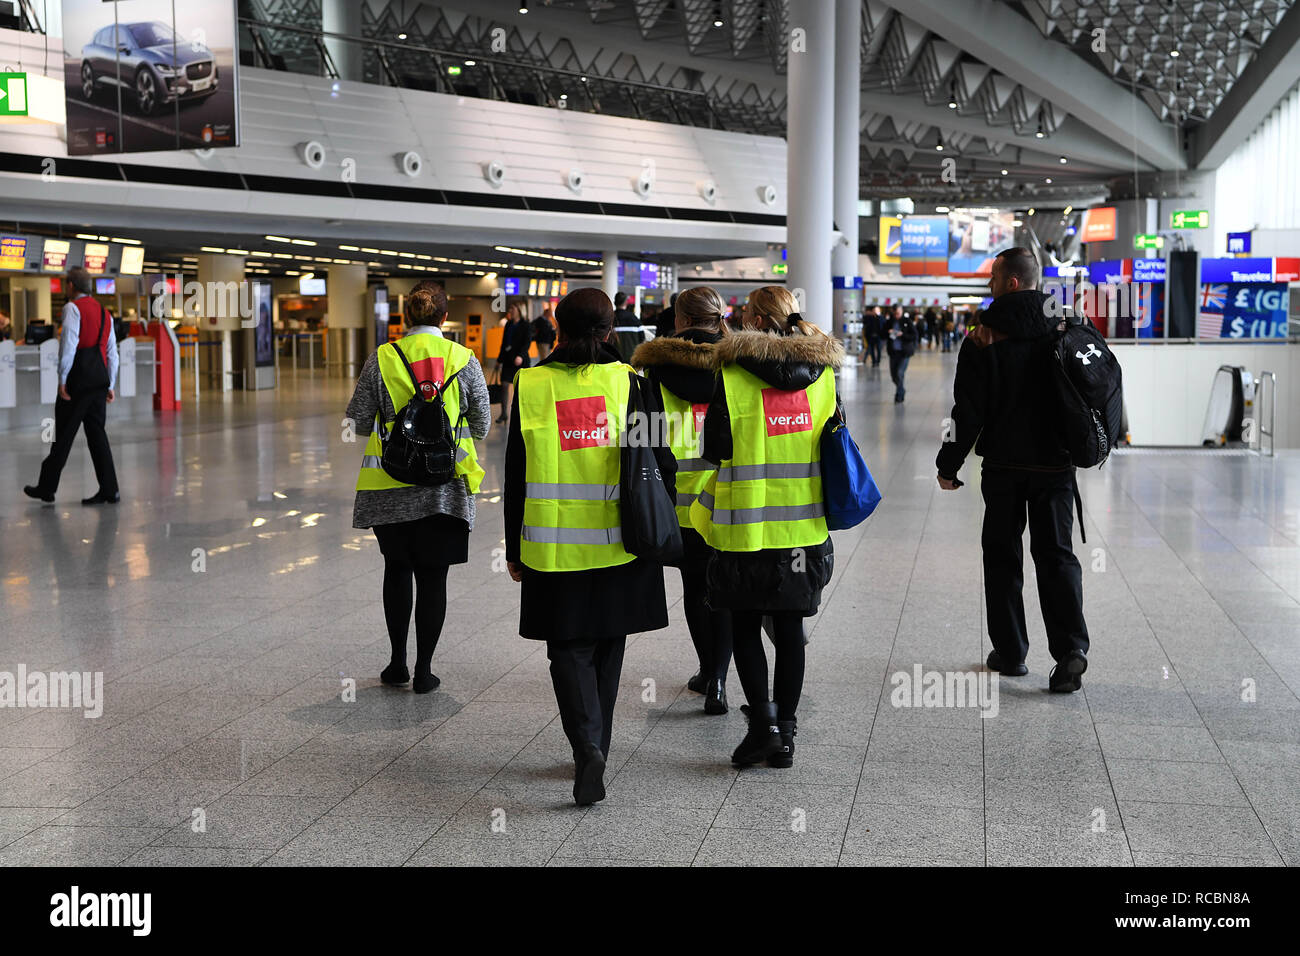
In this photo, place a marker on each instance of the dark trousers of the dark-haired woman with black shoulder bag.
(586, 676)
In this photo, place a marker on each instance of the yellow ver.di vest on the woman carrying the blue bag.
(769, 494)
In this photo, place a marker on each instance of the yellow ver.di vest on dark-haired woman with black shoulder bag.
(571, 419)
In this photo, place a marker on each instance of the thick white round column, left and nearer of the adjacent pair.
(811, 133)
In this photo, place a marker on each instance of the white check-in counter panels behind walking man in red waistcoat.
(29, 383)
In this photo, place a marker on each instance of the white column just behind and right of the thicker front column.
(847, 284)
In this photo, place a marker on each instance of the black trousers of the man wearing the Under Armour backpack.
(1046, 500)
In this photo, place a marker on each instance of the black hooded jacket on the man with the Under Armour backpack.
(1006, 405)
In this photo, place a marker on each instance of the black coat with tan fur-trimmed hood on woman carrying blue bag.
(775, 579)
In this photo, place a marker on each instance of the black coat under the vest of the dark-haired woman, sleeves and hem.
(583, 605)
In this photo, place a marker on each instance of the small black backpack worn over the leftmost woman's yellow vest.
(422, 448)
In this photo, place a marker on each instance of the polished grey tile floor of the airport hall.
(229, 603)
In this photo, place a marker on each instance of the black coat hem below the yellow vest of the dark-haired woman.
(592, 605)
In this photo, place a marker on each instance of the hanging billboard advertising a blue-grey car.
(150, 75)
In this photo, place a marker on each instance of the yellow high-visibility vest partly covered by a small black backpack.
(434, 360)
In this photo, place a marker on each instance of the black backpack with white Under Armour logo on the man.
(1090, 386)
